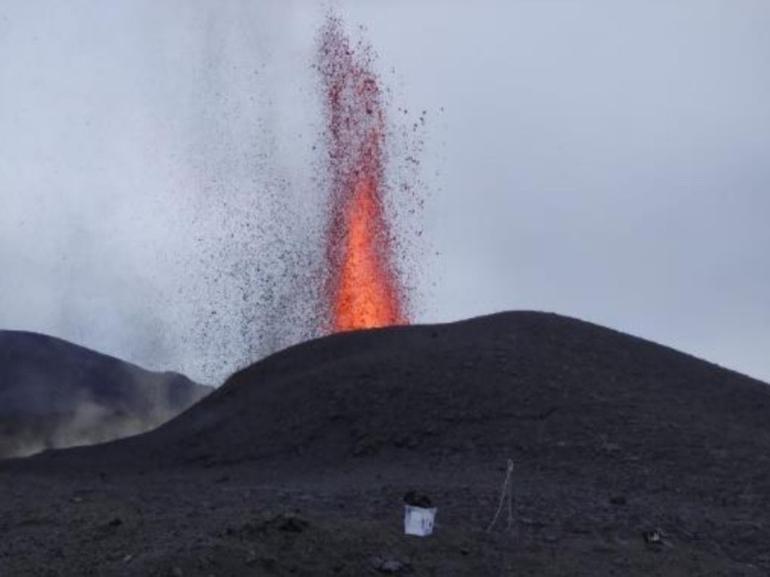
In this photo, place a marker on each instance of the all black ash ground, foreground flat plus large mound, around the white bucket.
(298, 464)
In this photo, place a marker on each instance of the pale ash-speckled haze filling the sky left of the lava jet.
(164, 211)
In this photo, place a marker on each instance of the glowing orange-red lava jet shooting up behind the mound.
(362, 287)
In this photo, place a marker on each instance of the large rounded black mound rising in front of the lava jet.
(531, 386)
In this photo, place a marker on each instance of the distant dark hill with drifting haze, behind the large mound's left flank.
(54, 394)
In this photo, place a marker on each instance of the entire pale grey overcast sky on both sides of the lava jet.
(601, 159)
